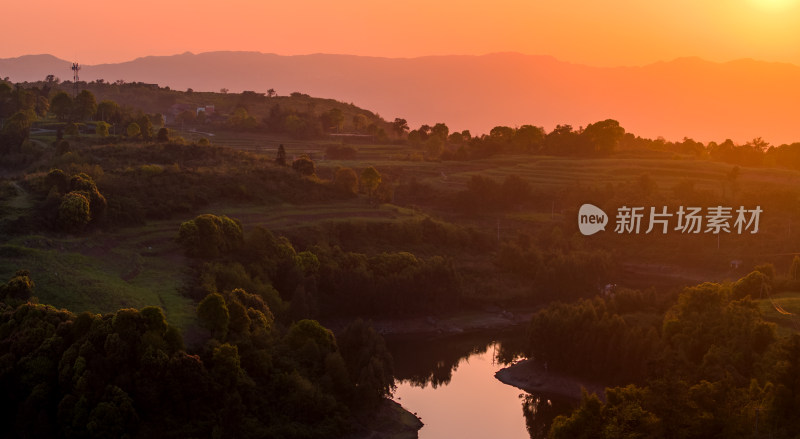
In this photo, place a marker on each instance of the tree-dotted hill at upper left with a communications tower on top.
(298, 114)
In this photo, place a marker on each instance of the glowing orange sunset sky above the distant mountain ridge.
(599, 33)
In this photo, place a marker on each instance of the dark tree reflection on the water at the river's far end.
(432, 361)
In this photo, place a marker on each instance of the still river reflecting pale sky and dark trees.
(449, 383)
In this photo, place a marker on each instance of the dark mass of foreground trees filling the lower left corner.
(128, 373)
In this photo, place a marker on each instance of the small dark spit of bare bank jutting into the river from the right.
(532, 377)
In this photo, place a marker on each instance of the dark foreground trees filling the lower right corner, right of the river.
(702, 365)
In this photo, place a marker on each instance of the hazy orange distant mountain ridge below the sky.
(690, 97)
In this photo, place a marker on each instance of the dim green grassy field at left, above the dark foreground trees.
(102, 273)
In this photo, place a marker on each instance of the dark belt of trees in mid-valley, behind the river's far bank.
(322, 280)
